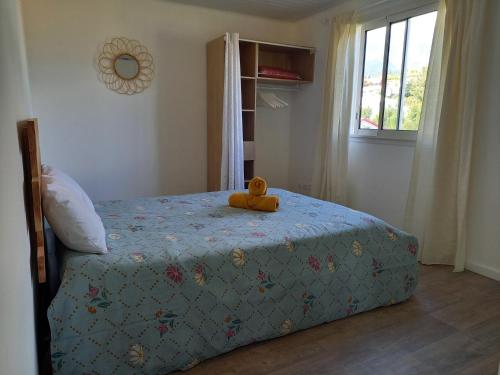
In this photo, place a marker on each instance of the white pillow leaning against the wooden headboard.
(74, 222)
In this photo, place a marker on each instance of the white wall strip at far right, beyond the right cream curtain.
(483, 247)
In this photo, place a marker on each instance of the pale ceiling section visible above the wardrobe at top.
(288, 10)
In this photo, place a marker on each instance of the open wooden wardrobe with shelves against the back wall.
(252, 55)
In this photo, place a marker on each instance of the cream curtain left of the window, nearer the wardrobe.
(331, 166)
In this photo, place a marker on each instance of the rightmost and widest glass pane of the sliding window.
(420, 33)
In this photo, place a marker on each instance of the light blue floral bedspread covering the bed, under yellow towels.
(188, 278)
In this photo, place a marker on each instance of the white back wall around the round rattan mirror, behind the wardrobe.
(121, 146)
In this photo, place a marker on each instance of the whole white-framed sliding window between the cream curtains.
(393, 72)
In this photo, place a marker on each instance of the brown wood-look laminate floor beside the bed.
(450, 326)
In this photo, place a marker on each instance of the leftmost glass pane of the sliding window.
(372, 78)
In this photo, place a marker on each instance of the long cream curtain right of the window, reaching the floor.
(437, 203)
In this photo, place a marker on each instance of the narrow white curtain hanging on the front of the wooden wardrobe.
(232, 122)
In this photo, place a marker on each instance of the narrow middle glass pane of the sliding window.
(394, 71)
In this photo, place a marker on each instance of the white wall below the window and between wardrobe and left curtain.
(378, 172)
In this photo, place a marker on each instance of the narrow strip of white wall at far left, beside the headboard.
(17, 333)
